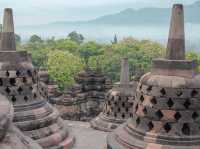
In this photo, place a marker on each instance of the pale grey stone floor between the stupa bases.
(86, 137)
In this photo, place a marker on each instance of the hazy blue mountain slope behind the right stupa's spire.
(143, 16)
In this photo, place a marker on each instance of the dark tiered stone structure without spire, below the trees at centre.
(85, 99)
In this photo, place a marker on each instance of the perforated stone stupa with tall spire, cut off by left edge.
(19, 82)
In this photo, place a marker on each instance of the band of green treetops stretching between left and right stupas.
(64, 57)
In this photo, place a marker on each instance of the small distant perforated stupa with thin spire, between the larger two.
(119, 104)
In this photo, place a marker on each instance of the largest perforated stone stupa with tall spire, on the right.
(166, 110)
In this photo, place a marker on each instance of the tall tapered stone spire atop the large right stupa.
(176, 40)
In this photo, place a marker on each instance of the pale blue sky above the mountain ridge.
(29, 12)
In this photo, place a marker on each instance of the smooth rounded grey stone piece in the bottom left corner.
(10, 136)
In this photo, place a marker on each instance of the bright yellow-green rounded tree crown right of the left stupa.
(63, 66)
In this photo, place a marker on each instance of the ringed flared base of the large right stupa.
(126, 137)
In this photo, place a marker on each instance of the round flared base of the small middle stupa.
(104, 123)
